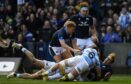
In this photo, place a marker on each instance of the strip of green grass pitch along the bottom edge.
(121, 79)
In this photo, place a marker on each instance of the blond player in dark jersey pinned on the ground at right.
(106, 69)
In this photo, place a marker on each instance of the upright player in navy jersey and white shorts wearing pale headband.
(84, 23)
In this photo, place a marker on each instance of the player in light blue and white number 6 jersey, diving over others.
(79, 64)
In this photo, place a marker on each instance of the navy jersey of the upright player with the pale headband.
(82, 25)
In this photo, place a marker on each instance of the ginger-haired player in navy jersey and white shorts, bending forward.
(62, 40)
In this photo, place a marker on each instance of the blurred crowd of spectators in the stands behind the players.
(37, 20)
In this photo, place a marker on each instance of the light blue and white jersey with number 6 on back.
(91, 57)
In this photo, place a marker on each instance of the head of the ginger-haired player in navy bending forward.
(70, 26)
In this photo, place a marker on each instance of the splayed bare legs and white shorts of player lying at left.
(41, 64)
